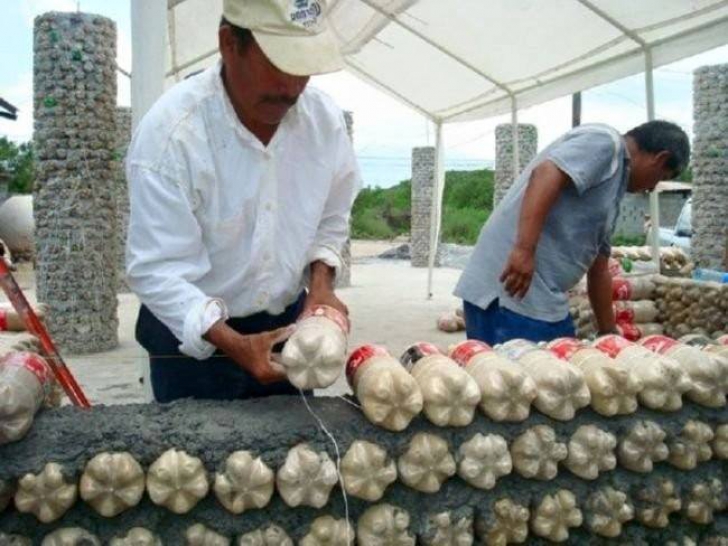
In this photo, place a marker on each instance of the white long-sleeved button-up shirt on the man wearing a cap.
(216, 216)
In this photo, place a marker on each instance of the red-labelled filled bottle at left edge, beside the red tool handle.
(25, 380)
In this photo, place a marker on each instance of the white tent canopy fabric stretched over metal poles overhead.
(469, 59)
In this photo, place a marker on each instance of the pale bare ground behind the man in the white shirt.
(387, 301)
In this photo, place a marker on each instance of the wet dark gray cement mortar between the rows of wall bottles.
(213, 430)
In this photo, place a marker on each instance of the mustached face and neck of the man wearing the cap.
(257, 89)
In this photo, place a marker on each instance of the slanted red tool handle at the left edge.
(35, 327)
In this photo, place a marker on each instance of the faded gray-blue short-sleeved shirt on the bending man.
(577, 229)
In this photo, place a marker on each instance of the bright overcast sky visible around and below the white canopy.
(383, 127)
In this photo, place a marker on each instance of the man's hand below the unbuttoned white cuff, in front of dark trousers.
(252, 352)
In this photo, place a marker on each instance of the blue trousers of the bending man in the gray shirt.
(497, 324)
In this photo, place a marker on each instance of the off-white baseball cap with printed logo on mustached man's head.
(293, 34)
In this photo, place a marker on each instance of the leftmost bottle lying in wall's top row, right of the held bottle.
(390, 397)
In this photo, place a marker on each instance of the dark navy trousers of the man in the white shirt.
(176, 375)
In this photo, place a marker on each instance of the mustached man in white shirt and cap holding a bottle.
(241, 184)
